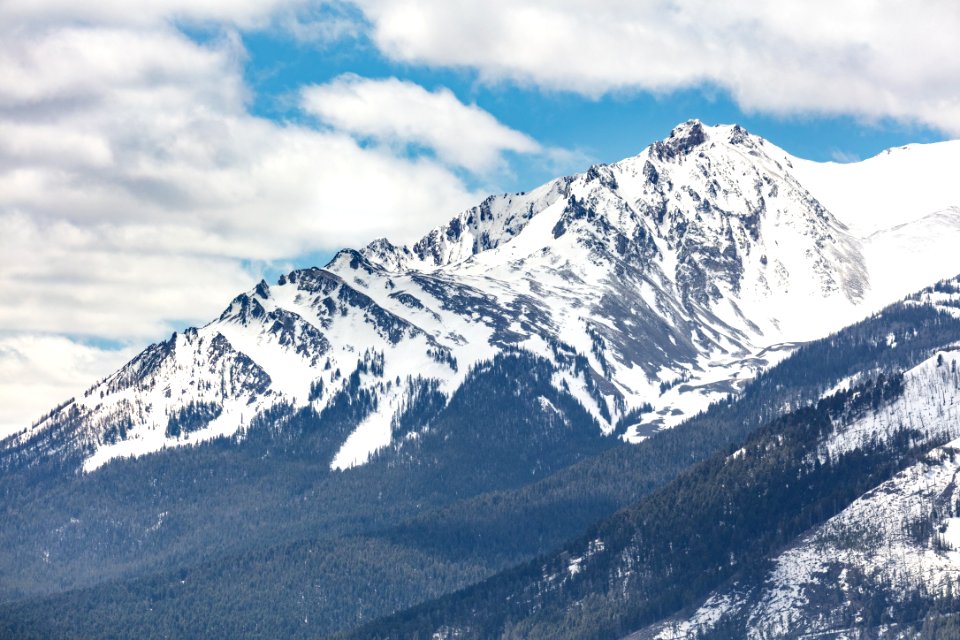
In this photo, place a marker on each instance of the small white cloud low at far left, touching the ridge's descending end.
(53, 367)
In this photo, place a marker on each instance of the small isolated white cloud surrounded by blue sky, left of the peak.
(402, 114)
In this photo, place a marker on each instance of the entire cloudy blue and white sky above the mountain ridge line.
(156, 159)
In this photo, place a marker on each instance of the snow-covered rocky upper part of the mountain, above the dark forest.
(677, 274)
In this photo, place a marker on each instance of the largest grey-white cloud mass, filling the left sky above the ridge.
(133, 183)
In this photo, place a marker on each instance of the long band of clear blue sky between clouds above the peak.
(602, 128)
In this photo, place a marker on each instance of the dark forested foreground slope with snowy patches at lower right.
(834, 519)
